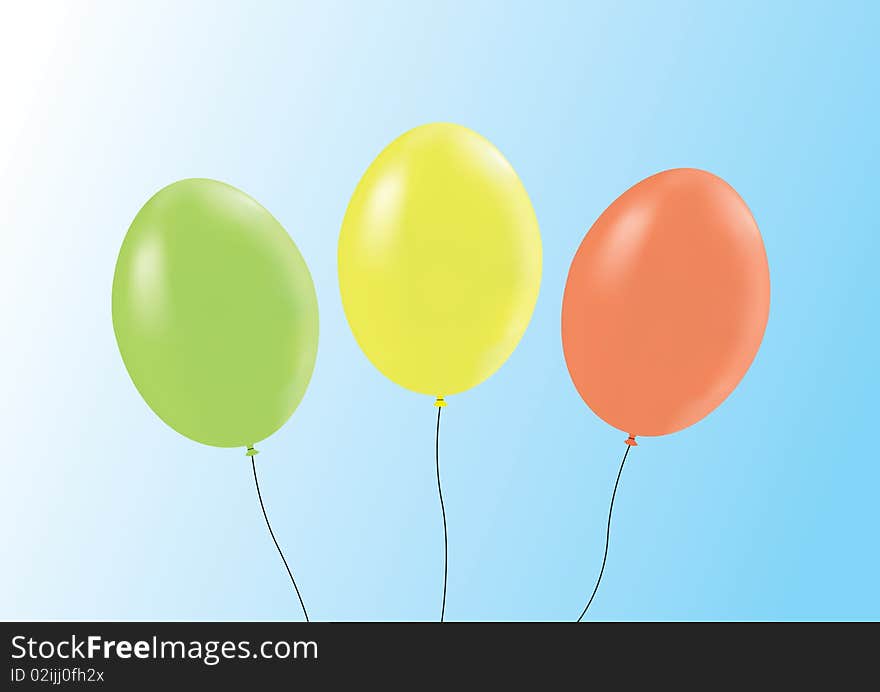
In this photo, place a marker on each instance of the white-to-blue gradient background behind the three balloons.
(767, 509)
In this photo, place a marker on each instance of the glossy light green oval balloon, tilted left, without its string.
(215, 313)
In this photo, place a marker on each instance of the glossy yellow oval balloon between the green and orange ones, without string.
(439, 260)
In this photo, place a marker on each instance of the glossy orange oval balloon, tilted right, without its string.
(666, 303)
